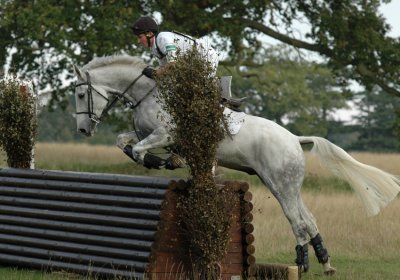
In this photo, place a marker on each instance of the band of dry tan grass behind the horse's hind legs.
(342, 221)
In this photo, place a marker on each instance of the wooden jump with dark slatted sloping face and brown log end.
(109, 225)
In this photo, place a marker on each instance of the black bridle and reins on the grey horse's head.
(118, 95)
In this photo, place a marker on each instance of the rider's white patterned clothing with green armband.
(166, 45)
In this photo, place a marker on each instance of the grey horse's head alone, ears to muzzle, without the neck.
(91, 100)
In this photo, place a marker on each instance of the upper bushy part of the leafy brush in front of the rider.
(191, 96)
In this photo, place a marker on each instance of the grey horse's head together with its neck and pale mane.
(105, 80)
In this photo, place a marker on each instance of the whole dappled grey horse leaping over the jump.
(261, 147)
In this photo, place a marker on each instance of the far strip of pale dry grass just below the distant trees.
(66, 156)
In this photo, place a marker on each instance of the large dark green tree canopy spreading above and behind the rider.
(46, 36)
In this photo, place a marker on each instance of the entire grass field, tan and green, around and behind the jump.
(361, 247)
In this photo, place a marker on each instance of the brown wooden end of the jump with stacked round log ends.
(169, 258)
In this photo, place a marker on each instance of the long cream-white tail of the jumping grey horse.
(375, 187)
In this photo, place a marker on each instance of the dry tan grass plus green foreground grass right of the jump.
(361, 247)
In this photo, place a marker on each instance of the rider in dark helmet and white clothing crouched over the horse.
(164, 45)
